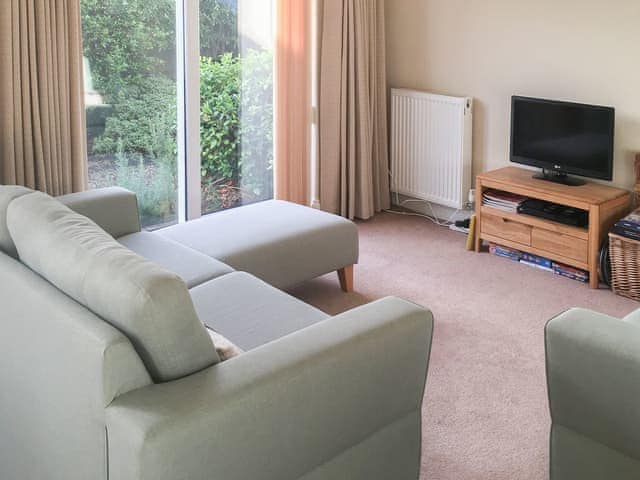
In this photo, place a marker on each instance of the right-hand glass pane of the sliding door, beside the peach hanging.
(236, 102)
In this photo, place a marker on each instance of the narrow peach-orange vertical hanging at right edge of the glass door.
(292, 101)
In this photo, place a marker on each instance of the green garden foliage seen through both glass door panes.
(130, 45)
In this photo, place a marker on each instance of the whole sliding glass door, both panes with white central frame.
(140, 126)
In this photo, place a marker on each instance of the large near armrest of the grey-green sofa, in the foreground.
(284, 408)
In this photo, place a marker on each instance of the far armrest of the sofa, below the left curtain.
(114, 209)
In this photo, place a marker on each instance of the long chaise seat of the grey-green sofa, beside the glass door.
(280, 242)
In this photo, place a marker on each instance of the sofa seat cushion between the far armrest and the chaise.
(192, 266)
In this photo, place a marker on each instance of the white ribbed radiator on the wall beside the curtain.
(431, 146)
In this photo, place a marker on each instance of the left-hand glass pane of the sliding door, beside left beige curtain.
(130, 84)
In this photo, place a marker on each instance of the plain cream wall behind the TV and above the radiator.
(581, 50)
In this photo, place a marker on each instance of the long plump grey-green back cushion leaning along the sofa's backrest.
(149, 304)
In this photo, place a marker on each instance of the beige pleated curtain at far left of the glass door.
(42, 120)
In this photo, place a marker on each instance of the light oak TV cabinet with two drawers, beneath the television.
(574, 246)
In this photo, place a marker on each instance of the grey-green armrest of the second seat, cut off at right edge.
(593, 376)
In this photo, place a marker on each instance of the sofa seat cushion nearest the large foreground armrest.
(249, 312)
